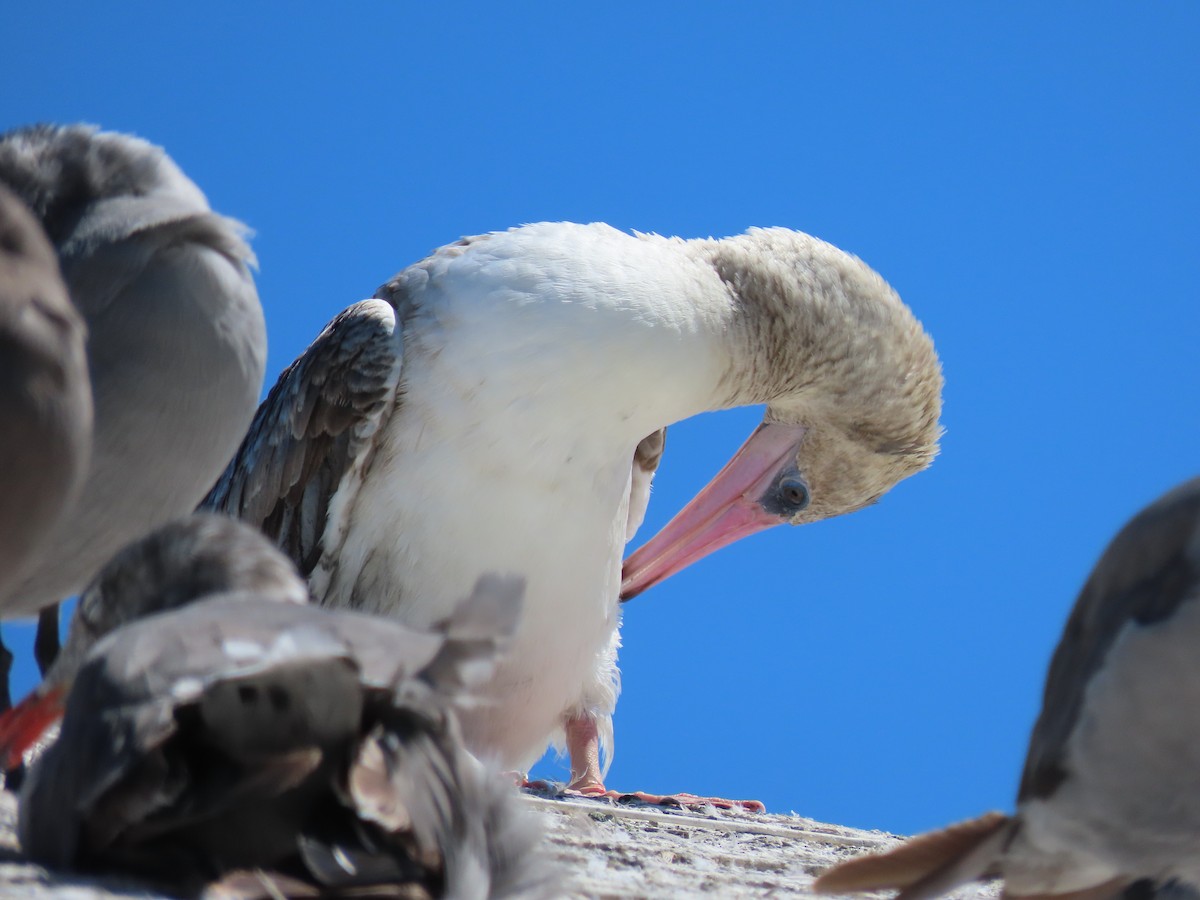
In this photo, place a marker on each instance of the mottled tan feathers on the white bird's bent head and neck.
(857, 361)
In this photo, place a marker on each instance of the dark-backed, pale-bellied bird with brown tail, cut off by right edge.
(1111, 795)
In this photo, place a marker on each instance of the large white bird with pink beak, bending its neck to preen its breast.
(485, 410)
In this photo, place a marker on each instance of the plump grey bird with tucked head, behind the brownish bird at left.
(177, 343)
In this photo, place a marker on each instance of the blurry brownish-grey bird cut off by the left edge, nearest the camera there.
(45, 395)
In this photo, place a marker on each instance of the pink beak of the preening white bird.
(727, 511)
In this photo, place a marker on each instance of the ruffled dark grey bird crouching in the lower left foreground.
(262, 749)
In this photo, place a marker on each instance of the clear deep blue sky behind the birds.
(1025, 176)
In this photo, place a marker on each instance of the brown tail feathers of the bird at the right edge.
(927, 866)
